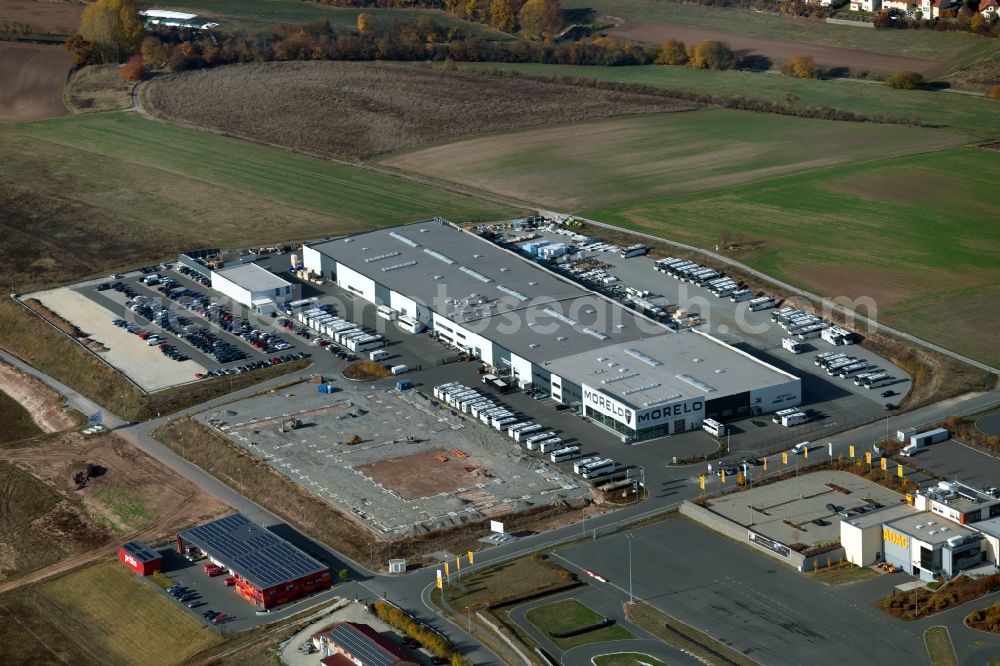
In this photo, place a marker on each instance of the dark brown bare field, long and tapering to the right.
(356, 110)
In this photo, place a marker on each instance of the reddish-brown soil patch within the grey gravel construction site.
(423, 474)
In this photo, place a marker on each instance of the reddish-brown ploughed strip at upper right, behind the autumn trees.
(779, 50)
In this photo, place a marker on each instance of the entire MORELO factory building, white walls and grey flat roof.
(629, 373)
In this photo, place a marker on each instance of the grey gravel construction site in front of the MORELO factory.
(390, 459)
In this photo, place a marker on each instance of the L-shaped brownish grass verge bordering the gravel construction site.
(308, 513)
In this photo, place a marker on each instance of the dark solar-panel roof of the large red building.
(255, 553)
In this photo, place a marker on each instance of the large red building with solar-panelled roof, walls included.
(268, 570)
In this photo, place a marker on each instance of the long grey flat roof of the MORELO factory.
(539, 315)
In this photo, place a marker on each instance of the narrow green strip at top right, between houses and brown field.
(953, 46)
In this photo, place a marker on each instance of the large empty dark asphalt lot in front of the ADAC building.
(768, 612)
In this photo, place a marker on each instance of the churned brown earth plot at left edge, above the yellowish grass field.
(48, 525)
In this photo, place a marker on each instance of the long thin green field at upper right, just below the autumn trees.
(973, 115)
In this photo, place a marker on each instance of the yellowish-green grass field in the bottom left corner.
(100, 614)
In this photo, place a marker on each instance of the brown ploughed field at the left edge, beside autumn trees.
(32, 77)
